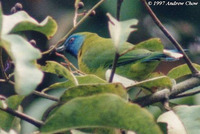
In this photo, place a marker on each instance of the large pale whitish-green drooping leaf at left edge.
(24, 55)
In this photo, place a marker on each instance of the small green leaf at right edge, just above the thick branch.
(181, 71)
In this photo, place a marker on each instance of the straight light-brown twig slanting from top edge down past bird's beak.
(74, 28)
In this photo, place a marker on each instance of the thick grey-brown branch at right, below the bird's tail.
(161, 95)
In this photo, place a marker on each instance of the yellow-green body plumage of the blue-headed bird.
(96, 56)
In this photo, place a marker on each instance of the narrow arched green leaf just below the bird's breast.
(58, 69)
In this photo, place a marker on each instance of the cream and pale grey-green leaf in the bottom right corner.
(182, 120)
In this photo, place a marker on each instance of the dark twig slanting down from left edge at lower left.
(23, 116)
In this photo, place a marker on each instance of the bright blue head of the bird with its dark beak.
(72, 44)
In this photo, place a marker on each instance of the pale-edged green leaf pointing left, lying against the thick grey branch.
(154, 84)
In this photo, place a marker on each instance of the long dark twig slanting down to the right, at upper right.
(171, 38)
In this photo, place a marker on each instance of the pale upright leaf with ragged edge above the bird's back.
(120, 31)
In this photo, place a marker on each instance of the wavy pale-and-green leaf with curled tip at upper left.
(21, 21)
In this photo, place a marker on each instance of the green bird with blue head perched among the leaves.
(95, 55)
